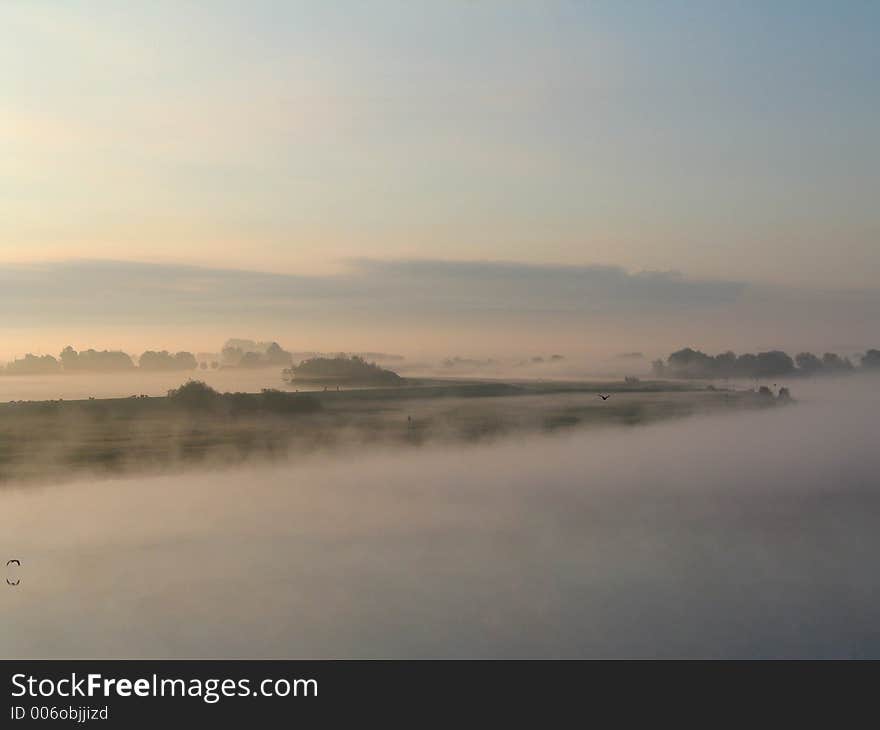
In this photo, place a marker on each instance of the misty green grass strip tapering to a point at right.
(47, 441)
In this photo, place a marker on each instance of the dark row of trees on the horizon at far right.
(690, 363)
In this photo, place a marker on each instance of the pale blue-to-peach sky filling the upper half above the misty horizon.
(726, 142)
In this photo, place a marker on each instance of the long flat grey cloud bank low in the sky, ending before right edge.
(114, 290)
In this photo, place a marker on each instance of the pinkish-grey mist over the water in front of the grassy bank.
(751, 534)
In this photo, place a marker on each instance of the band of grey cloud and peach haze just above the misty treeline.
(442, 306)
